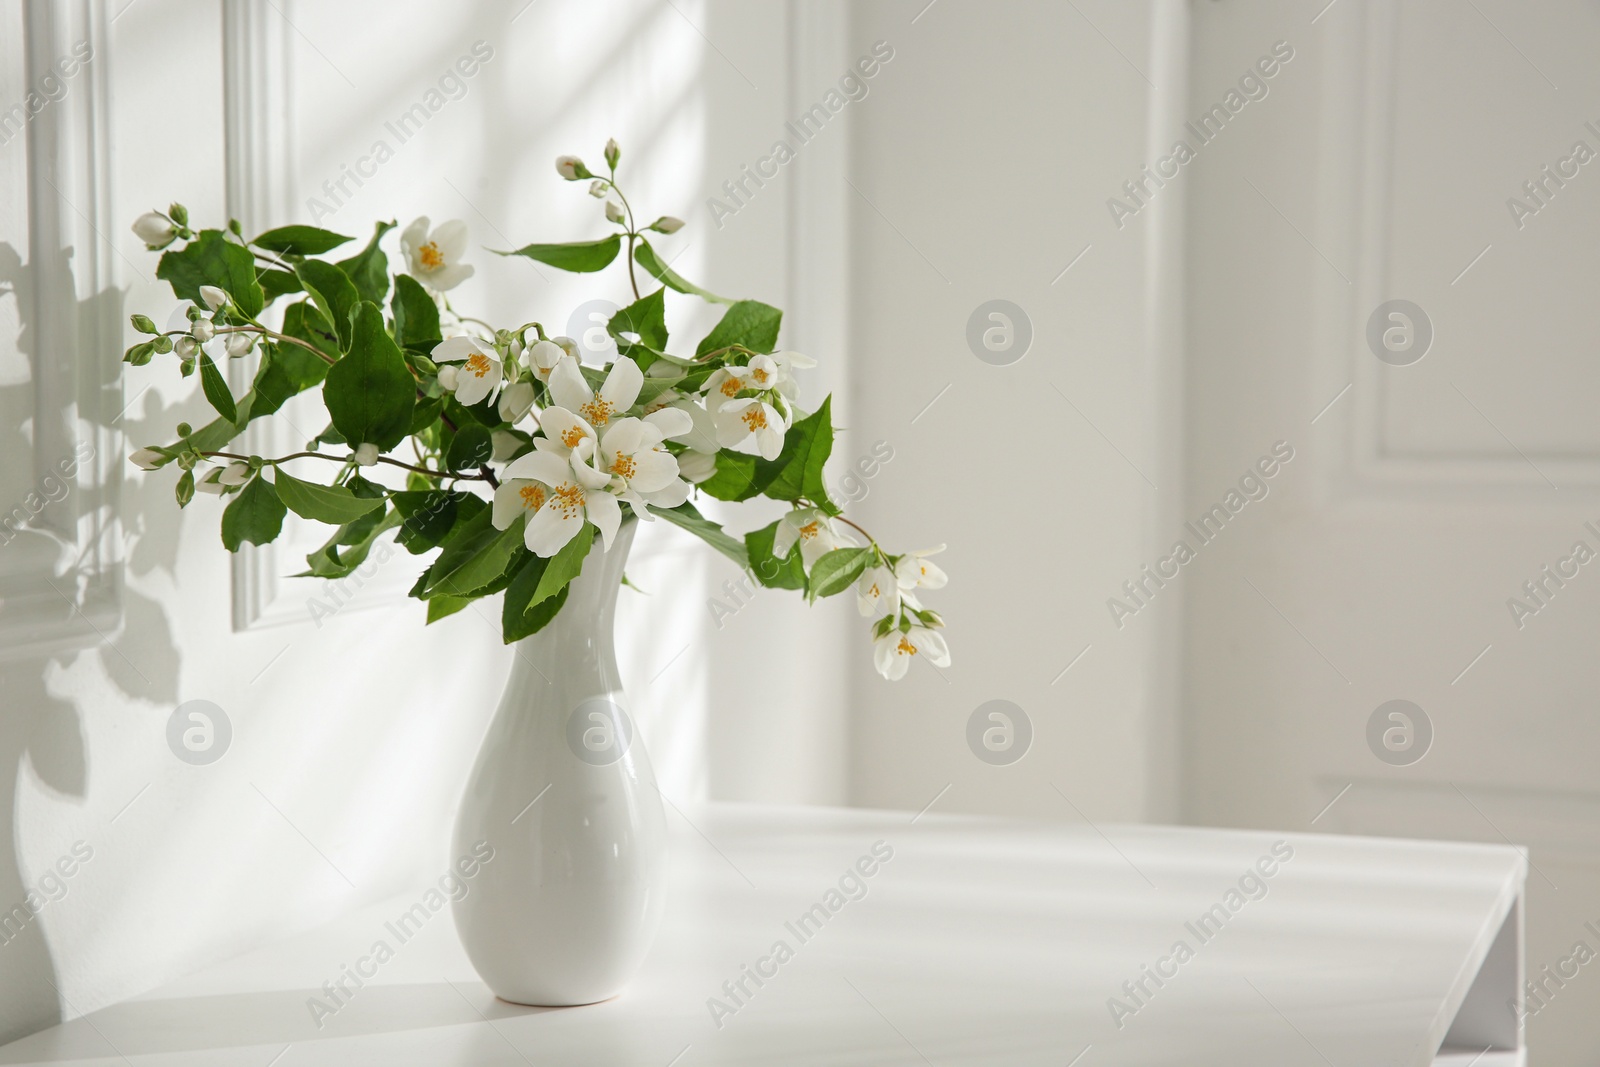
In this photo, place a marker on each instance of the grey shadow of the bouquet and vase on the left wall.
(41, 727)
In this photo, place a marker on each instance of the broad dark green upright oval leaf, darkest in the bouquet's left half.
(370, 393)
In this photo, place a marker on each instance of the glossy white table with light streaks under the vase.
(978, 943)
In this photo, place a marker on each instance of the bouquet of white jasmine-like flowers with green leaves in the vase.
(566, 450)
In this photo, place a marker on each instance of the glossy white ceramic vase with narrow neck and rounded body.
(566, 797)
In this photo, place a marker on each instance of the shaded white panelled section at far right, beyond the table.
(1417, 506)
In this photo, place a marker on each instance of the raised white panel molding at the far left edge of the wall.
(62, 573)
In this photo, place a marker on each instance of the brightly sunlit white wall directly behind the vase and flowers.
(353, 740)
